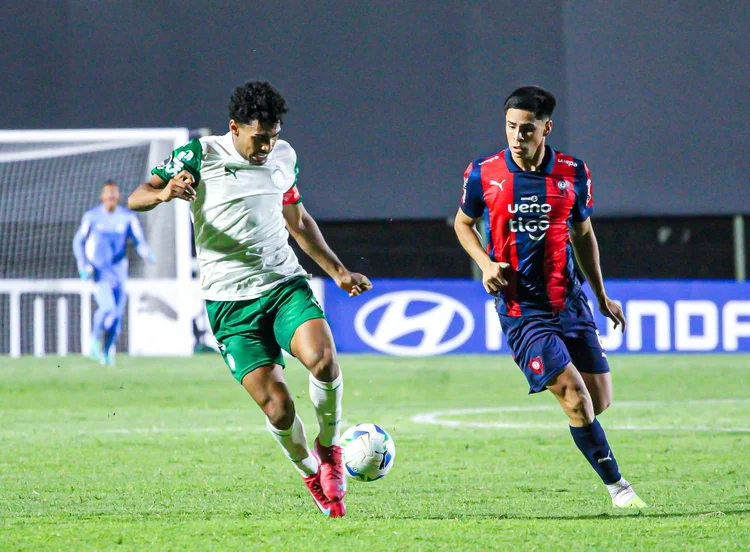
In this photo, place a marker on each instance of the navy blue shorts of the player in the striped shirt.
(544, 345)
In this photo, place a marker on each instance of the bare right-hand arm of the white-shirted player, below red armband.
(306, 233)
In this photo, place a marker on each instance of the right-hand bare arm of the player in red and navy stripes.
(586, 250)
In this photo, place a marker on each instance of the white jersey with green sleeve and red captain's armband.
(240, 232)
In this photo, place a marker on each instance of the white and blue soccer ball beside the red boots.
(369, 452)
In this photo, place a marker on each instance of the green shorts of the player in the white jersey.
(252, 333)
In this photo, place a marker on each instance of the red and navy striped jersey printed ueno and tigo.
(527, 216)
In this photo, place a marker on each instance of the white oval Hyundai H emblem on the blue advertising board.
(434, 324)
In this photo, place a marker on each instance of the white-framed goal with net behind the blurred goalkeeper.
(48, 179)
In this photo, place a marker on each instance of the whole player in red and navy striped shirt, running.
(536, 205)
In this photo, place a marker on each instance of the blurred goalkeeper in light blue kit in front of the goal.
(100, 248)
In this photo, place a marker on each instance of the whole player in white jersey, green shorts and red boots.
(244, 202)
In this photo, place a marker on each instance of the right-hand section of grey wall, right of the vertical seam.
(660, 103)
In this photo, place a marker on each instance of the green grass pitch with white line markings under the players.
(170, 454)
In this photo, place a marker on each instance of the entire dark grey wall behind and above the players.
(390, 100)
